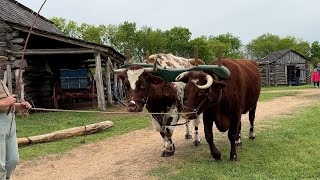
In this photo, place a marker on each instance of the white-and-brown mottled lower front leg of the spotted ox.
(168, 144)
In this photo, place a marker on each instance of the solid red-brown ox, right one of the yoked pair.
(223, 101)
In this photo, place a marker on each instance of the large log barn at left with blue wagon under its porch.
(54, 62)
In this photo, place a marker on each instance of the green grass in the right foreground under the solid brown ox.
(287, 149)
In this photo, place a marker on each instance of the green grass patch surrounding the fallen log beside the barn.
(41, 123)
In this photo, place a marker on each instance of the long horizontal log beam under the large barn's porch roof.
(54, 51)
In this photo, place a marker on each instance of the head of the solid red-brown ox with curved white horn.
(201, 90)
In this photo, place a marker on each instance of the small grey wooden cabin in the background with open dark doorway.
(277, 66)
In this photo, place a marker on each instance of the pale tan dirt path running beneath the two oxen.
(129, 156)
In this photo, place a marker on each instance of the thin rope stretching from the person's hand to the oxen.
(103, 112)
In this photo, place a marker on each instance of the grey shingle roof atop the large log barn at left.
(14, 12)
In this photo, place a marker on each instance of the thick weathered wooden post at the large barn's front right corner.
(99, 83)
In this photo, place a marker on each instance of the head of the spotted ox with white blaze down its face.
(137, 80)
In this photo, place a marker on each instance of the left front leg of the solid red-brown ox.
(208, 123)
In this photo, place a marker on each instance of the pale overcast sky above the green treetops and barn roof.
(246, 19)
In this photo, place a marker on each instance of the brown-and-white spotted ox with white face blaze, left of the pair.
(144, 88)
